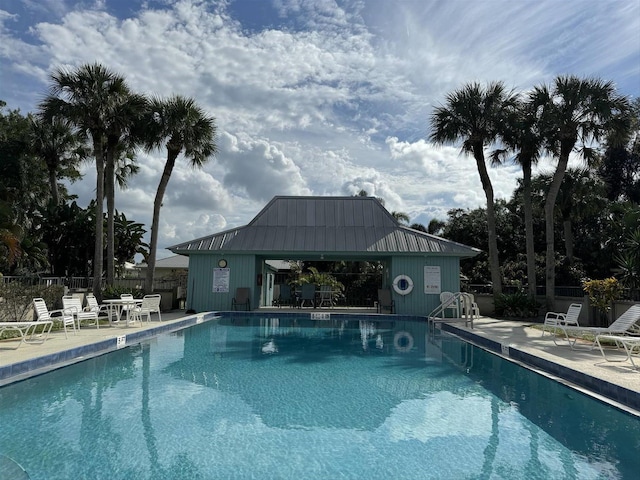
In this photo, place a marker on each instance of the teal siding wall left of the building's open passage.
(242, 273)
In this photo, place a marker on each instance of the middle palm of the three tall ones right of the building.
(521, 134)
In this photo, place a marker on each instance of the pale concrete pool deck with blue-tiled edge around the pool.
(618, 383)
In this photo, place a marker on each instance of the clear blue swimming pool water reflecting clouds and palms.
(293, 398)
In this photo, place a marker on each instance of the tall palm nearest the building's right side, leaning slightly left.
(474, 115)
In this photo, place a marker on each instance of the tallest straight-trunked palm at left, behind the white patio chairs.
(86, 97)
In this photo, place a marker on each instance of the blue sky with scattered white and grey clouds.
(313, 97)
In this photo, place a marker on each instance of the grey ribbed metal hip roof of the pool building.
(327, 225)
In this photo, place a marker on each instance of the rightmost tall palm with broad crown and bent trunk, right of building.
(573, 112)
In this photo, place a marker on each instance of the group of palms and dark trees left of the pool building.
(89, 114)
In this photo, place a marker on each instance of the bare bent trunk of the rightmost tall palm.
(549, 208)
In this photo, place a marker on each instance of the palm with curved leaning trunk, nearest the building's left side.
(186, 129)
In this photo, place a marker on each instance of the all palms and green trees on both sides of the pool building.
(563, 226)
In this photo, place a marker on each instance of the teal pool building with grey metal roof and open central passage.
(417, 266)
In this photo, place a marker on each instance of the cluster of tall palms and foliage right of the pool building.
(572, 115)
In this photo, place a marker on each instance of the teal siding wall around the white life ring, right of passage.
(417, 302)
